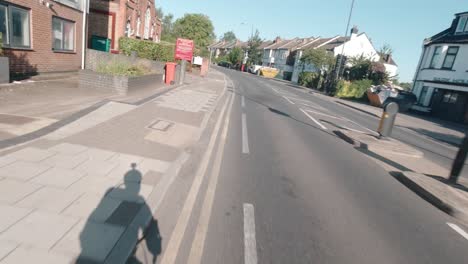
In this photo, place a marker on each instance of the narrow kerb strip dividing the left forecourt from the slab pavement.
(26, 138)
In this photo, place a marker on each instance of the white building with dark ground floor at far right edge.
(441, 79)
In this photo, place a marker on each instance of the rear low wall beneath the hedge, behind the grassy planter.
(95, 57)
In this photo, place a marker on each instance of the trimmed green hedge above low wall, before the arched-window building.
(147, 49)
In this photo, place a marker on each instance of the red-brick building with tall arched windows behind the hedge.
(114, 19)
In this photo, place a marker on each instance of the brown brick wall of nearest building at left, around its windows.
(41, 58)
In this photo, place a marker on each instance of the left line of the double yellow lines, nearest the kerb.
(172, 248)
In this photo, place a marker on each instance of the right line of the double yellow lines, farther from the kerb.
(198, 243)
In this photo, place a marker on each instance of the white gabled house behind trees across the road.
(353, 46)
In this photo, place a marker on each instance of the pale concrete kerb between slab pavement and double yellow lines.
(126, 243)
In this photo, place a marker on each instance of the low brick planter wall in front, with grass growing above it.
(119, 84)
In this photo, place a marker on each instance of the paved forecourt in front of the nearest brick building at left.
(29, 106)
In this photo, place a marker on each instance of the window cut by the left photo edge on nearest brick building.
(14, 26)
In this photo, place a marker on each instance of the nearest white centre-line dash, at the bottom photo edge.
(250, 244)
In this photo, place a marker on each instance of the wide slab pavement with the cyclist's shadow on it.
(75, 193)
